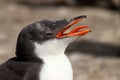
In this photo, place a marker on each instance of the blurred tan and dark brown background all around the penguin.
(94, 56)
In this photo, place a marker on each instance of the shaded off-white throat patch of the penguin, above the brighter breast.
(52, 47)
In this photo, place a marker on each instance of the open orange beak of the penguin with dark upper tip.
(77, 31)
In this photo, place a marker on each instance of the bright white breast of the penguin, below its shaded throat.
(56, 68)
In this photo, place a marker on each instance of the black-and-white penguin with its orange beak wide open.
(40, 51)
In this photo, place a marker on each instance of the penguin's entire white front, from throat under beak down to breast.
(56, 64)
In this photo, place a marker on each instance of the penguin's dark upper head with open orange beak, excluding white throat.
(44, 30)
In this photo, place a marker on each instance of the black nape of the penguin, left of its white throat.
(25, 50)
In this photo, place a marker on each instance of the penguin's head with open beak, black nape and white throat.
(46, 34)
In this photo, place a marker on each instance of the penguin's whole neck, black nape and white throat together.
(29, 50)
